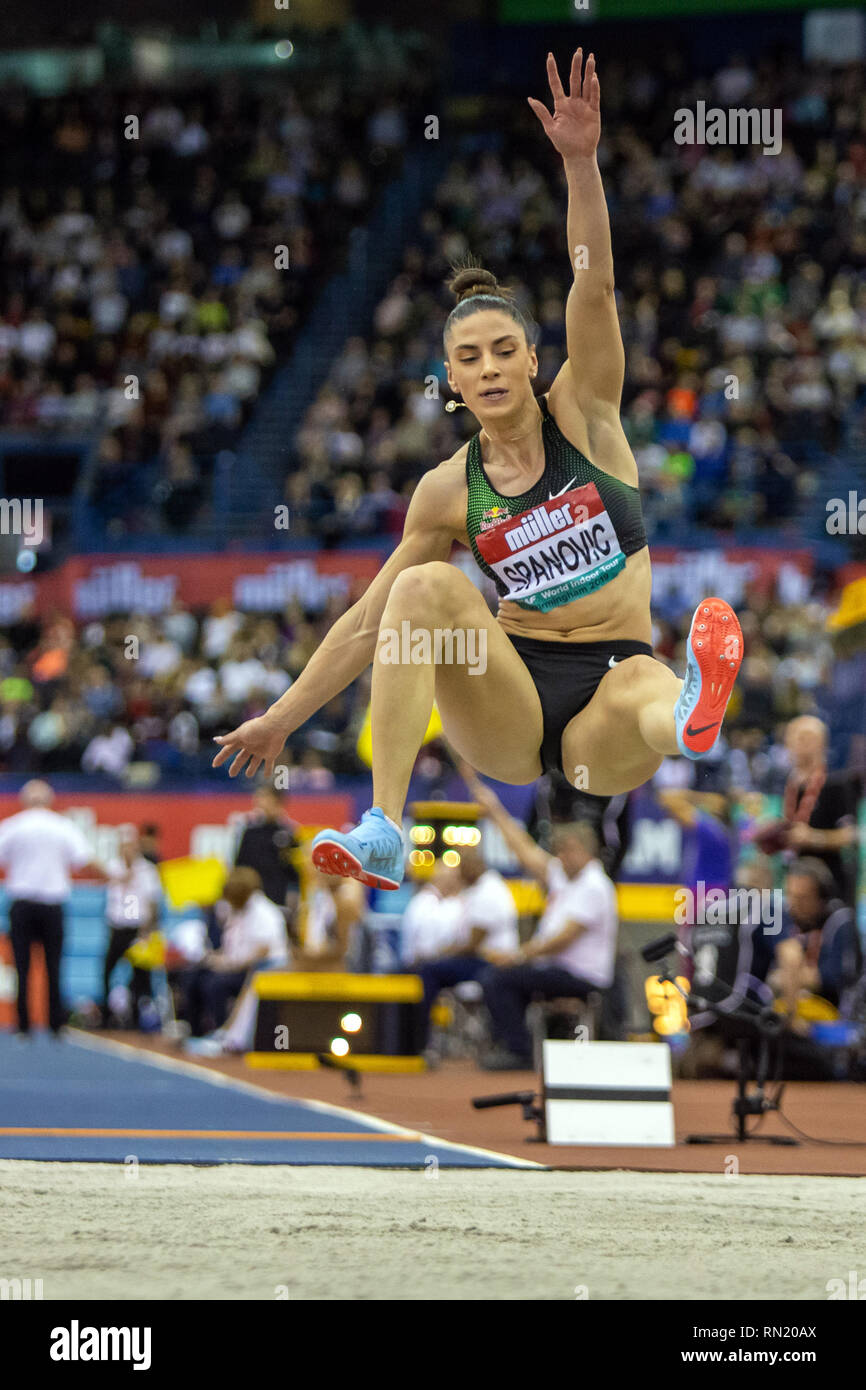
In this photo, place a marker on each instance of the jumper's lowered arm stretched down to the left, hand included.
(350, 647)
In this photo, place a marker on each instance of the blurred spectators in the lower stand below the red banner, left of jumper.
(138, 690)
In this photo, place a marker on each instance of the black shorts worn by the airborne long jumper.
(566, 676)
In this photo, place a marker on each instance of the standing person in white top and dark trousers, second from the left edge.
(133, 907)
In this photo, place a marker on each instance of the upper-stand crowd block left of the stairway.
(159, 256)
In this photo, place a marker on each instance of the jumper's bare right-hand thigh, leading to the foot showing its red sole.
(603, 749)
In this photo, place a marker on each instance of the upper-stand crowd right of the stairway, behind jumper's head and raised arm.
(742, 287)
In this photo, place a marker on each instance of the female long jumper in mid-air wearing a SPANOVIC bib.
(546, 497)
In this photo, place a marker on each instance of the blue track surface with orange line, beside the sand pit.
(70, 1085)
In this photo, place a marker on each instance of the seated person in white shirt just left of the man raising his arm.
(486, 931)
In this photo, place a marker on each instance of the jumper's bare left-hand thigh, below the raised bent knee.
(490, 707)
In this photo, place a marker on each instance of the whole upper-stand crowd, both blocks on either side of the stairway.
(142, 294)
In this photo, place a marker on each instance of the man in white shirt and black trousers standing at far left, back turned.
(38, 850)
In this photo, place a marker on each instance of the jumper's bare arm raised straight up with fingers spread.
(597, 362)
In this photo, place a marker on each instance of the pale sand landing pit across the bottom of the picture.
(91, 1231)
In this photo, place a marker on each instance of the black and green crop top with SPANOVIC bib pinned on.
(566, 537)
